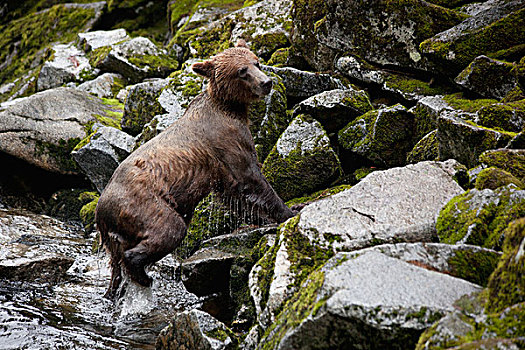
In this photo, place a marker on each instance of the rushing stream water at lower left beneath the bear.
(70, 312)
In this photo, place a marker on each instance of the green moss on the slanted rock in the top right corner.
(502, 34)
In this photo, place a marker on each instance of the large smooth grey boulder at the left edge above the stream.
(44, 128)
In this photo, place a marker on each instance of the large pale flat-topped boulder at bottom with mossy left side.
(400, 302)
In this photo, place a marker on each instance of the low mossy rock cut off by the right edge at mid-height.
(509, 160)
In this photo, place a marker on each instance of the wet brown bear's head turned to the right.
(234, 75)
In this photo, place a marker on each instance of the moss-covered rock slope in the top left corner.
(24, 40)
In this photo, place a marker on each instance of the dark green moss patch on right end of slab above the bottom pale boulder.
(473, 266)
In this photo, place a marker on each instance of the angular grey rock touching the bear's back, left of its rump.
(106, 149)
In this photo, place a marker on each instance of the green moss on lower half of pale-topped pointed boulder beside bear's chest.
(297, 174)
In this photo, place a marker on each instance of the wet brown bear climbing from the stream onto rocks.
(144, 211)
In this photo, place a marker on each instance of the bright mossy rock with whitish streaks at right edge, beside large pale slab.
(480, 217)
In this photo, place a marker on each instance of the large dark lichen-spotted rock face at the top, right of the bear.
(324, 30)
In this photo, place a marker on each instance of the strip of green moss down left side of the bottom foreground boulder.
(297, 308)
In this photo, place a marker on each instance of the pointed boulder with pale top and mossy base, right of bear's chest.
(302, 161)
